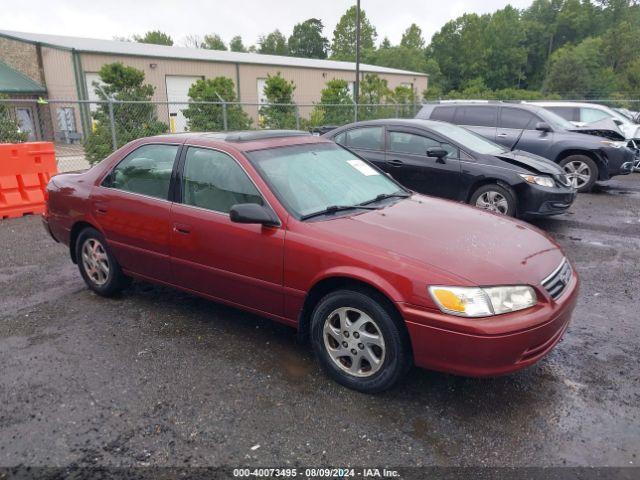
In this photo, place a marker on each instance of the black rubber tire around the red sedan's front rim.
(396, 358)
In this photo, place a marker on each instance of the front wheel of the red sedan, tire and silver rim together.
(358, 342)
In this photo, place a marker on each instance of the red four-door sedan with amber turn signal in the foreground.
(299, 229)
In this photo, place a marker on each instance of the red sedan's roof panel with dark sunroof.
(247, 141)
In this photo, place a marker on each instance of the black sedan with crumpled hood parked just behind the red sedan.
(444, 160)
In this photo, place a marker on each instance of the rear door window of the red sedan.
(146, 171)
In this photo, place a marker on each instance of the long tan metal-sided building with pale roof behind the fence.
(66, 66)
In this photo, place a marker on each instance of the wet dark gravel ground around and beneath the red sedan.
(159, 377)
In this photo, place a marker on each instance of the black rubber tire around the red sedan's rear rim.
(114, 279)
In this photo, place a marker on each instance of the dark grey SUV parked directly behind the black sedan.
(585, 158)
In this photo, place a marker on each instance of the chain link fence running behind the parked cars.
(85, 132)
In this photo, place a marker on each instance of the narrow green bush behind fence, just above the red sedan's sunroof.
(279, 112)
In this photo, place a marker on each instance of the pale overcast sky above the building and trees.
(248, 18)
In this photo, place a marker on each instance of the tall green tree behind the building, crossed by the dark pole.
(343, 46)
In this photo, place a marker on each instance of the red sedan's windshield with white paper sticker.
(310, 178)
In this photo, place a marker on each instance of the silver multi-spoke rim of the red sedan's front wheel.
(361, 353)
